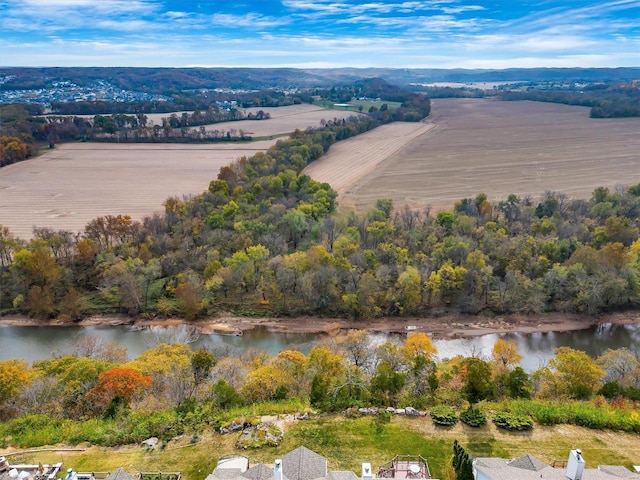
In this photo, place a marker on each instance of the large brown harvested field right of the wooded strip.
(494, 147)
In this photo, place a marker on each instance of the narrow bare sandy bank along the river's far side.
(450, 326)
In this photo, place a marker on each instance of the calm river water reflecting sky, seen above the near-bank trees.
(36, 343)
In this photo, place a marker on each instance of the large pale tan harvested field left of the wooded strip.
(77, 182)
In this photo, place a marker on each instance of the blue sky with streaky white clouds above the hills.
(320, 33)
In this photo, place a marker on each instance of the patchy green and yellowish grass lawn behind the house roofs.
(349, 442)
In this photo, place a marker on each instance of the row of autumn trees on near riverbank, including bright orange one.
(192, 388)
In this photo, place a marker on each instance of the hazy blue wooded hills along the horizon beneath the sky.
(172, 80)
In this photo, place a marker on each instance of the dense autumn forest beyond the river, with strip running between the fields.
(266, 240)
